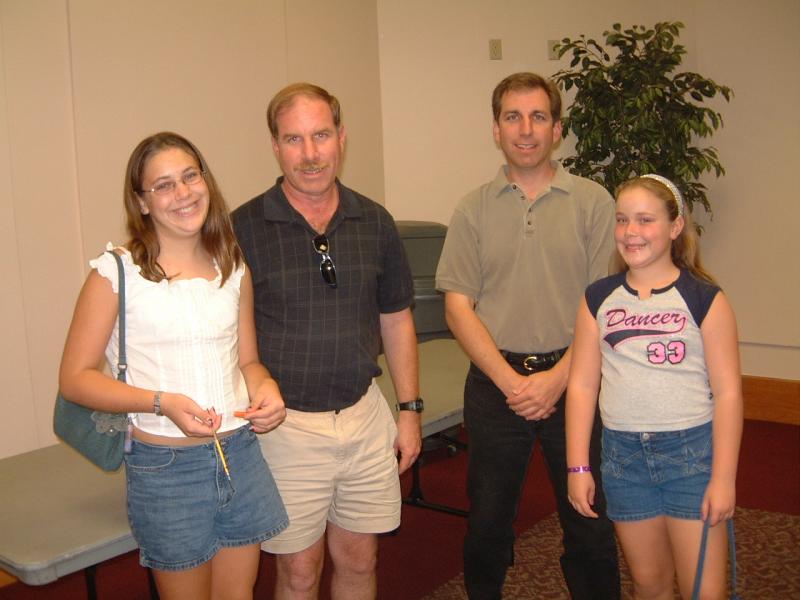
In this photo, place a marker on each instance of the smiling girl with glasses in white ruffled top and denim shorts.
(193, 373)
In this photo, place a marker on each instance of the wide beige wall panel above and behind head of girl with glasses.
(201, 68)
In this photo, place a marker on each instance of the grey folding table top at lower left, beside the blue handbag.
(59, 514)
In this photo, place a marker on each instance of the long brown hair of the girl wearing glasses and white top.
(216, 235)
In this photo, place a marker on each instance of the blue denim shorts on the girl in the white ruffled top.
(182, 508)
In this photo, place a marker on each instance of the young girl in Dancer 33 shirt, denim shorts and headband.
(661, 338)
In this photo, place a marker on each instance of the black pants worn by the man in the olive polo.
(500, 447)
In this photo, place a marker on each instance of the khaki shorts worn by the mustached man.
(335, 467)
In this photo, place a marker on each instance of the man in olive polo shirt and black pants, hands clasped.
(518, 255)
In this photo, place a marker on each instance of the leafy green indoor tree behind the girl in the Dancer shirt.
(633, 113)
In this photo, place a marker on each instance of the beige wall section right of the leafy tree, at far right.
(752, 244)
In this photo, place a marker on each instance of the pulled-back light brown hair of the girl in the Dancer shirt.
(685, 249)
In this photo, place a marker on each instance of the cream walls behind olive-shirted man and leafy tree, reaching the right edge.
(436, 82)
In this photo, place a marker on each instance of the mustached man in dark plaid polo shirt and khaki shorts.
(331, 284)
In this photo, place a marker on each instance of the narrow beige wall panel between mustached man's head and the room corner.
(335, 44)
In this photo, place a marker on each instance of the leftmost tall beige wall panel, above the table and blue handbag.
(42, 217)
